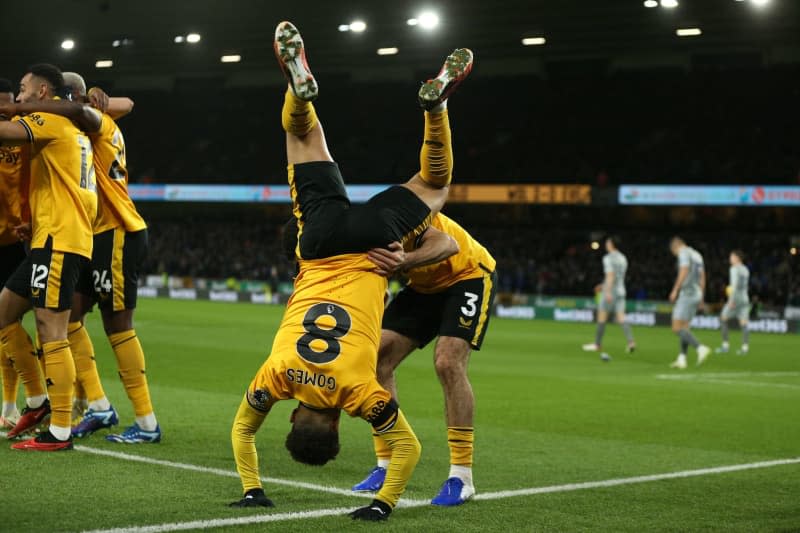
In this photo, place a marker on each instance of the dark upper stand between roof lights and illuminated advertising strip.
(734, 126)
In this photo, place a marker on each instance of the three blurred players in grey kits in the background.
(687, 297)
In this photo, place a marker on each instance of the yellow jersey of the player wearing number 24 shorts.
(115, 208)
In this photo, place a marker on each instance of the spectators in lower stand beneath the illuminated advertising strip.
(552, 262)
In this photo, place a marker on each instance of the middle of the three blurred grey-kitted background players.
(687, 296)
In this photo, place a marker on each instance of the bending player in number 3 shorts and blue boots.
(451, 299)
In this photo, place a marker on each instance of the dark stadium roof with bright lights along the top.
(148, 41)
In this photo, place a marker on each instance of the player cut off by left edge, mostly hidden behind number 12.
(12, 254)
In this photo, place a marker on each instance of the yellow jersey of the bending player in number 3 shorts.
(472, 261)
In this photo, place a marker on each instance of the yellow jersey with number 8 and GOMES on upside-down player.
(325, 351)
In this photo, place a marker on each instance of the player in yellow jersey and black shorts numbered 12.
(63, 205)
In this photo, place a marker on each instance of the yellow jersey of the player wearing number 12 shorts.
(63, 195)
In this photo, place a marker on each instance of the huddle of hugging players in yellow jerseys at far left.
(70, 237)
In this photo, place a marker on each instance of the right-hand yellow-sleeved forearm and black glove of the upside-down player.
(393, 427)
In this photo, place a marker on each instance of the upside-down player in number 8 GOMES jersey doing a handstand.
(324, 353)
